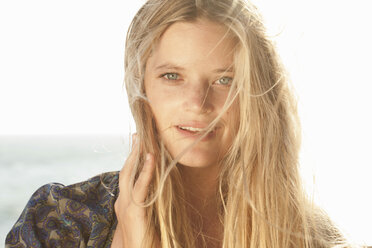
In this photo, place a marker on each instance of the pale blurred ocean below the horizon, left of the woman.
(28, 162)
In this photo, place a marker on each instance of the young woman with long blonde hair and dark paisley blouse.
(215, 158)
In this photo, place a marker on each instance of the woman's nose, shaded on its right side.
(197, 98)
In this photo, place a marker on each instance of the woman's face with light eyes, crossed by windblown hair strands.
(187, 80)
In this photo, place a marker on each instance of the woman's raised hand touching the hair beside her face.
(131, 227)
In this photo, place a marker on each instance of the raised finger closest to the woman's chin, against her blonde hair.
(141, 186)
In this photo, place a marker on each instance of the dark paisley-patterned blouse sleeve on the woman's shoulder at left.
(79, 215)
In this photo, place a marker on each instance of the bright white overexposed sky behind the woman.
(61, 72)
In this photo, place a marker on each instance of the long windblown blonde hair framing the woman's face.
(261, 200)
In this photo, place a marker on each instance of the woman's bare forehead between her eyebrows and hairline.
(195, 43)
